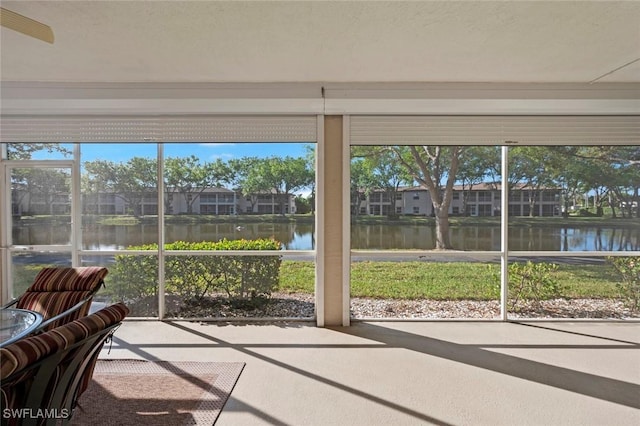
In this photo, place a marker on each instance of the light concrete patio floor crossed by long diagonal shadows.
(410, 373)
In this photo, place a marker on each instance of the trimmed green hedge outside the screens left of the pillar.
(134, 277)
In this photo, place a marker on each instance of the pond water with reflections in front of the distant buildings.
(299, 236)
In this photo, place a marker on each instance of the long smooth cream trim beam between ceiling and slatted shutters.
(46, 98)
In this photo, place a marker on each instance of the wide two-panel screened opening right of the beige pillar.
(570, 214)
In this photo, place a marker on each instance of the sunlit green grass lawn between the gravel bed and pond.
(446, 280)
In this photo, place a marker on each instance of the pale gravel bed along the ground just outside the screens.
(302, 306)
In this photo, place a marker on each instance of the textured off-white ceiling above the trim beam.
(332, 41)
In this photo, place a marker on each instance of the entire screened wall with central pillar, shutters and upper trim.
(82, 186)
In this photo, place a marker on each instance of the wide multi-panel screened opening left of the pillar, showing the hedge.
(202, 198)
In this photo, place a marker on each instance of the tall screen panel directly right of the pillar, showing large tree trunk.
(429, 254)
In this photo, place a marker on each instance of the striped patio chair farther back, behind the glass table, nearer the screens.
(62, 294)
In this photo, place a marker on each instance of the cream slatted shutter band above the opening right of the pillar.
(495, 130)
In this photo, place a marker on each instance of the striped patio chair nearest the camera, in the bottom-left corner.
(41, 376)
